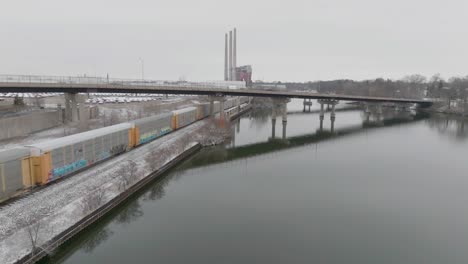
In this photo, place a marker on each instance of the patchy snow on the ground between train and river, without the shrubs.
(65, 198)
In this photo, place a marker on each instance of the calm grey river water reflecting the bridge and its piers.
(393, 189)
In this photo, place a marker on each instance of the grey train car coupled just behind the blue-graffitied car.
(149, 128)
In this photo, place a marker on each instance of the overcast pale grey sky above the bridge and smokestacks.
(283, 40)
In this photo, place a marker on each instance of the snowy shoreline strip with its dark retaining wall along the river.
(65, 199)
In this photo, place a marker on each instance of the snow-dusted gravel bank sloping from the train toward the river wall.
(60, 206)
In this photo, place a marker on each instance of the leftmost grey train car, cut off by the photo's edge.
(15, 173)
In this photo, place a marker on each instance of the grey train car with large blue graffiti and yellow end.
(59, 157)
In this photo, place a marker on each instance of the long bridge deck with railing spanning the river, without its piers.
(73, 85)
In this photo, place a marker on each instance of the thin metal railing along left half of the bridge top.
(69, 80)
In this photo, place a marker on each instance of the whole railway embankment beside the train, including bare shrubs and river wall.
(35, 225)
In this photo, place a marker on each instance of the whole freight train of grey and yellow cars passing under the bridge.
(41, 163)
